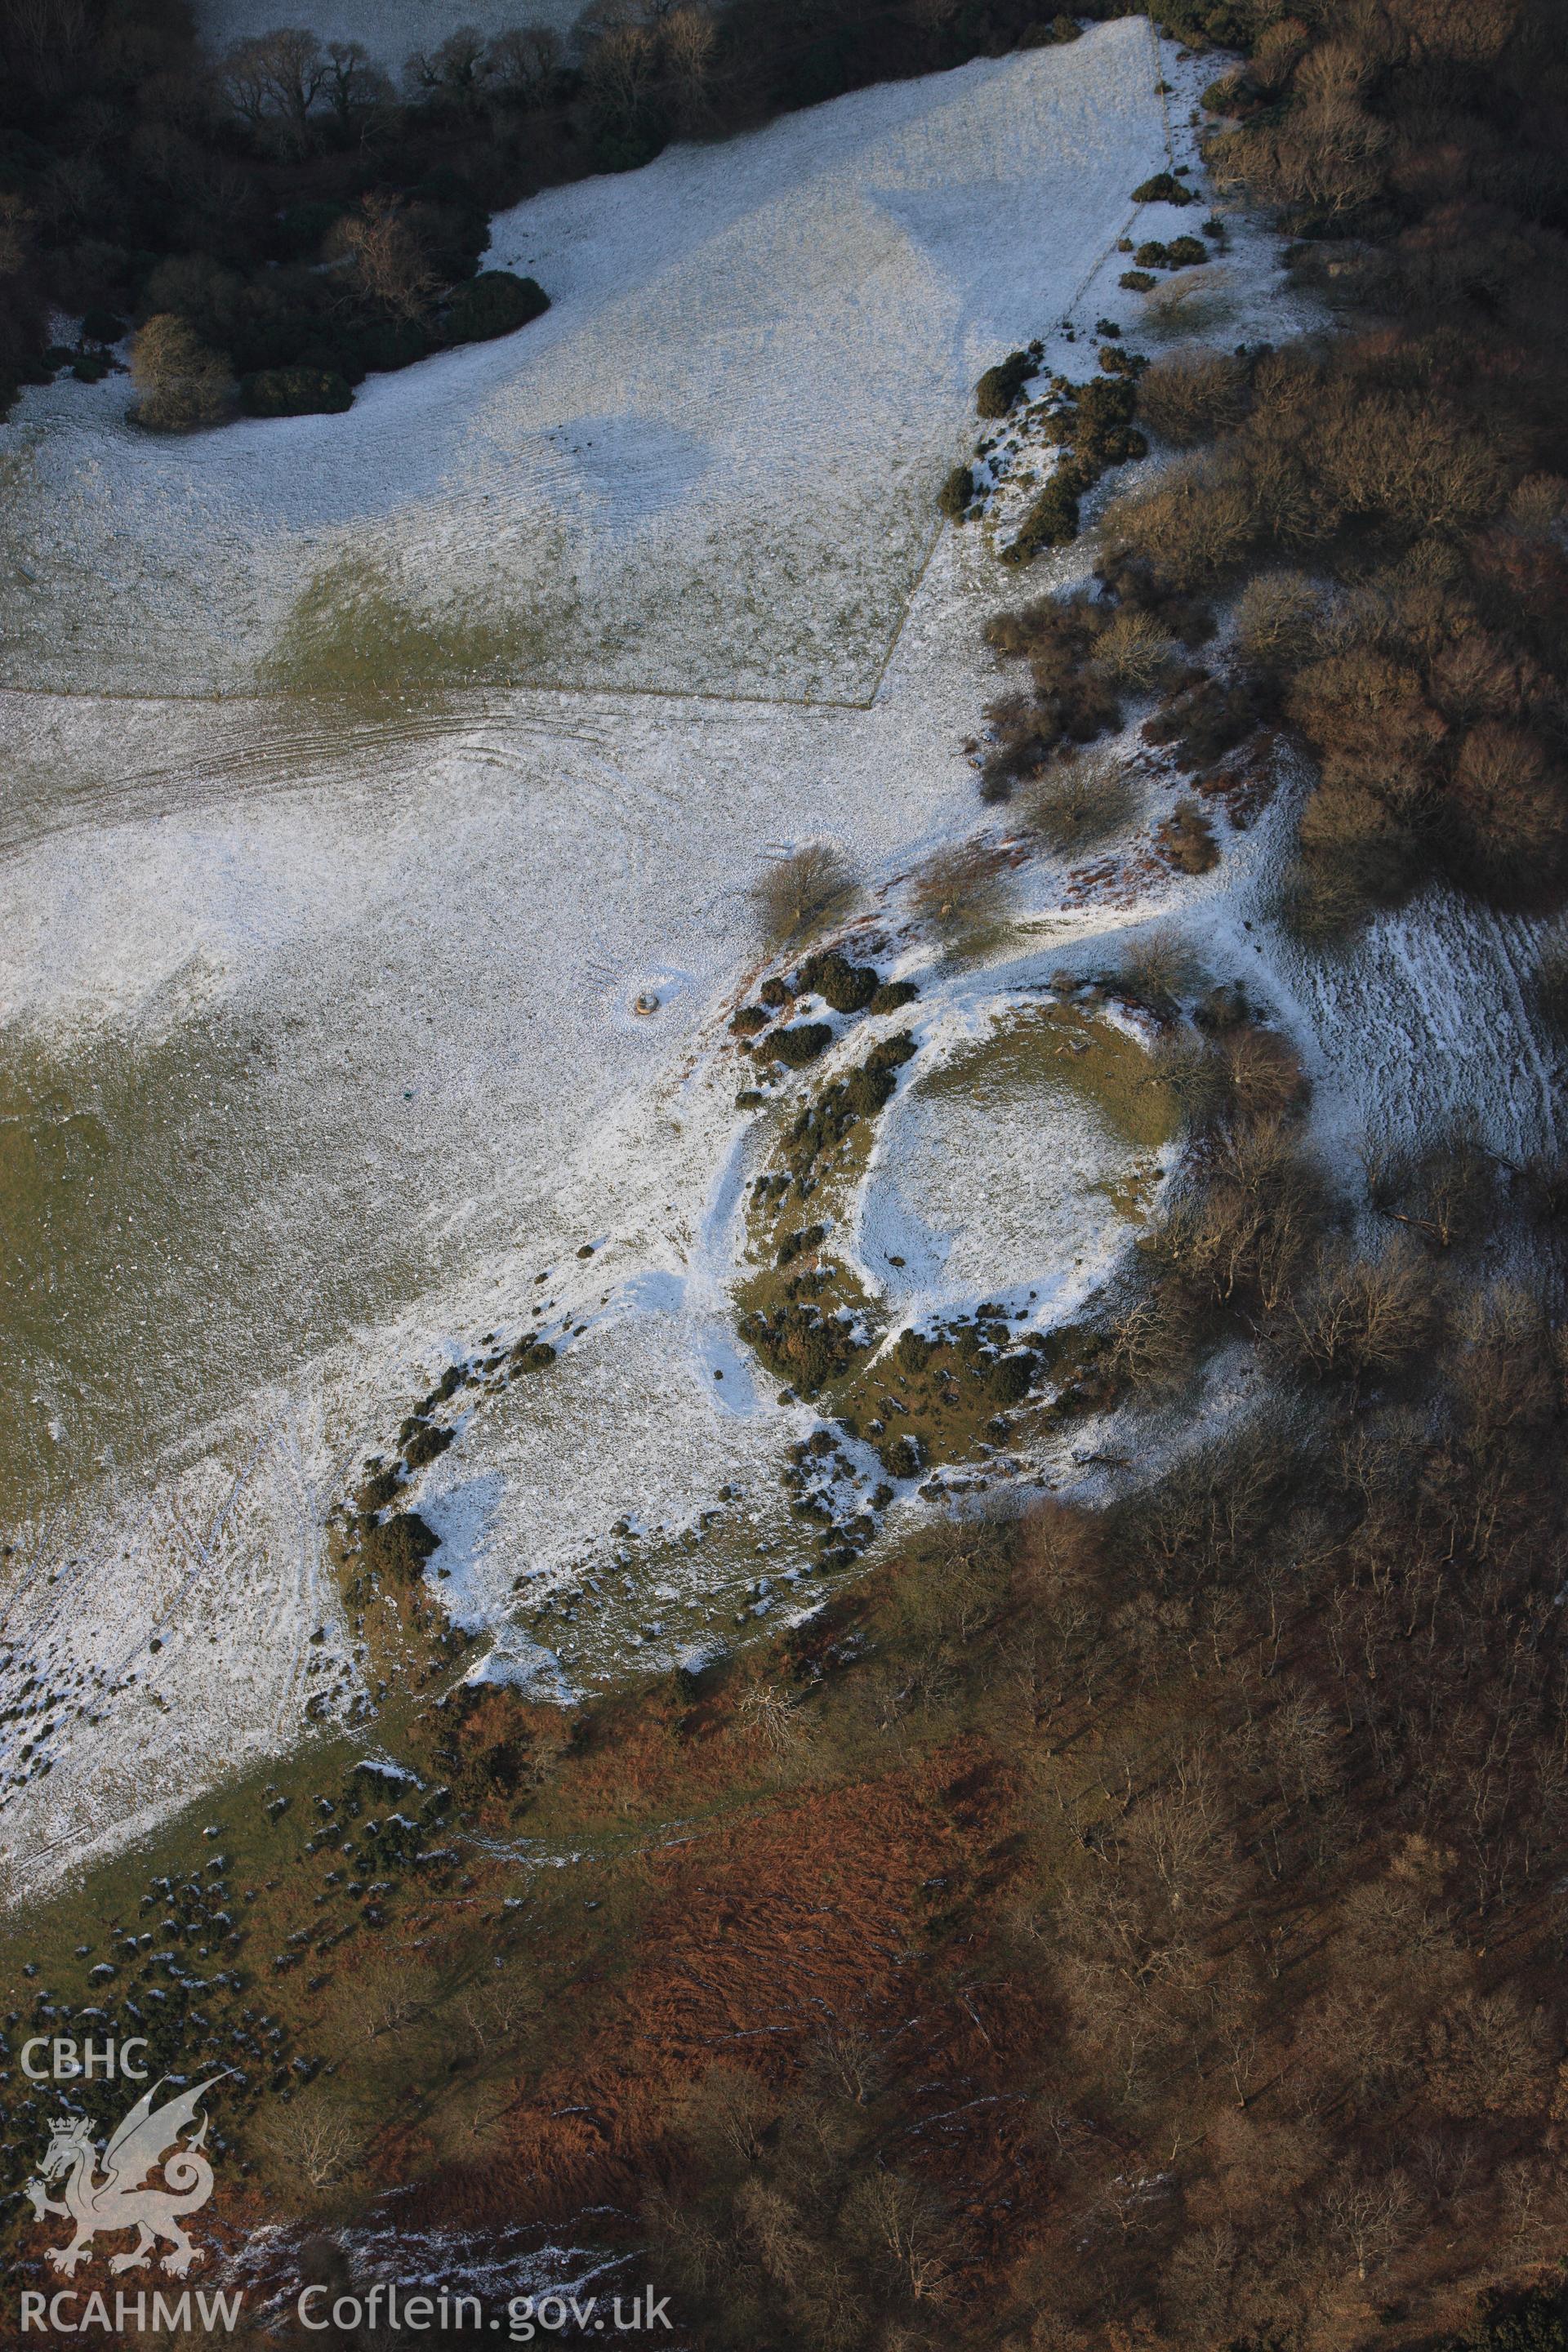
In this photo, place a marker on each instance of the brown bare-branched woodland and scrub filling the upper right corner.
(1383, 505)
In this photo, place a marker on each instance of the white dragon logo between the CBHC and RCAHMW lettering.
(121, 2198)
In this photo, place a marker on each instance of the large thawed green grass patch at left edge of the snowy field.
(140, 1271)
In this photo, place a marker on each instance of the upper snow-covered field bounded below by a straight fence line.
(709, 469)
